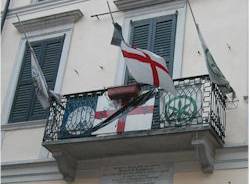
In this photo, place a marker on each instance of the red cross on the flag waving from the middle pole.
(147, 59)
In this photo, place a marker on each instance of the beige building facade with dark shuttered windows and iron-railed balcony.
(71, 39)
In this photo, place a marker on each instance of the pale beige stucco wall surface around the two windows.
(221, 22)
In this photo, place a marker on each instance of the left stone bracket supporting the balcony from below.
(66, 165)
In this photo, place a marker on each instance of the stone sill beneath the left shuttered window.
(24, 125)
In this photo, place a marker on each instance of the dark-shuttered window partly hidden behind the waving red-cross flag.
(156, 35)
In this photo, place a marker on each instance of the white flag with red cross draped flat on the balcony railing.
(138, 119)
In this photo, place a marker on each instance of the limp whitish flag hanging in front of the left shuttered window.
(39, 81)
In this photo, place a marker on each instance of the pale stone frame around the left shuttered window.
(38, 36)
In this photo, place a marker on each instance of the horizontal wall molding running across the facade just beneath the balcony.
(235, 157)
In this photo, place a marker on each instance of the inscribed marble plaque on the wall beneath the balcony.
(138, 174)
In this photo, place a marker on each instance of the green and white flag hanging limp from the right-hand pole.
(215, 74)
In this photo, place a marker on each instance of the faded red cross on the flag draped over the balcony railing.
(121, 122)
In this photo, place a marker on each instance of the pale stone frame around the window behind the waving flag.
(178, 7)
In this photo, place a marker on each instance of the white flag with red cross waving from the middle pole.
(147, 67)
